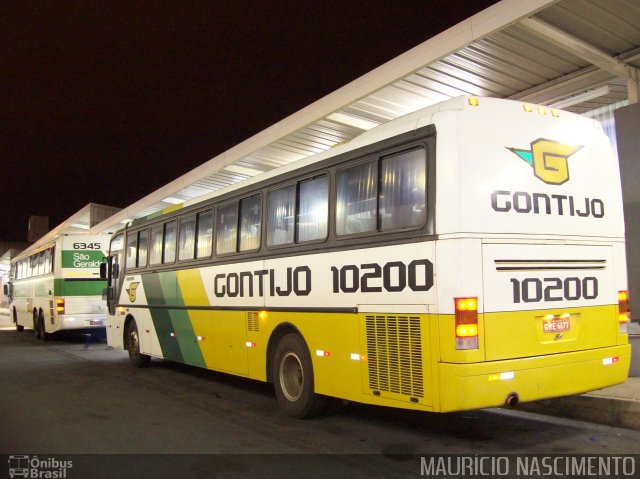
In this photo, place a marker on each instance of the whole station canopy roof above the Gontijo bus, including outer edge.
(576, 55)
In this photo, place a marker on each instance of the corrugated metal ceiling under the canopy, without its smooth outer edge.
(512, 61)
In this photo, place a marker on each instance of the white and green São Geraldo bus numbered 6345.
(57, 286)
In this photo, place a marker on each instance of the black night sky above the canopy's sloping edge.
(105, 102)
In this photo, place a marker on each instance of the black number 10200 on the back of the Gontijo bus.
(533, 290)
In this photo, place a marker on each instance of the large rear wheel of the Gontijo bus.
(293, 379)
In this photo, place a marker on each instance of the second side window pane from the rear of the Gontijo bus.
(356, 200)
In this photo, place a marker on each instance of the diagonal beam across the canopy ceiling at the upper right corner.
(580, 48)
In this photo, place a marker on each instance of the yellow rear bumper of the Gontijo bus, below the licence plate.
(474, 386)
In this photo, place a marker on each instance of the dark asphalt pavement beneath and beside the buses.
(75, 396)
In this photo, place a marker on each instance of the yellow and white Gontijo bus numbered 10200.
(467, 255)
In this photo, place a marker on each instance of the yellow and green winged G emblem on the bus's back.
(549, 159)
